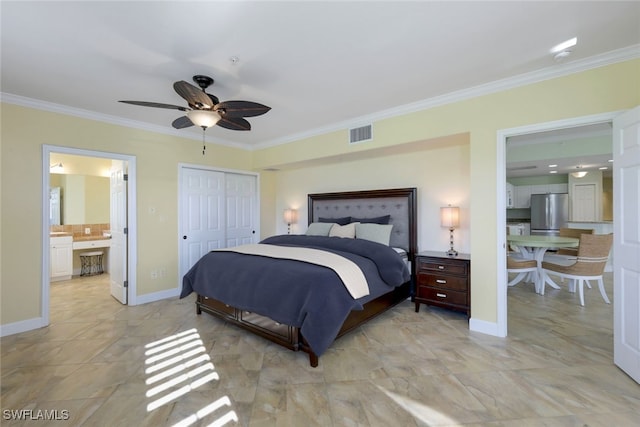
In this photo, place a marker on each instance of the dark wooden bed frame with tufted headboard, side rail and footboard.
(396, 202)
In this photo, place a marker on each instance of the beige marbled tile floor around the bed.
(103, 364)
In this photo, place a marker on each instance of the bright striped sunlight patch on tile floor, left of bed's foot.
(178, 364)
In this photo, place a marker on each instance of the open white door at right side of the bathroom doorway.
(118, 251)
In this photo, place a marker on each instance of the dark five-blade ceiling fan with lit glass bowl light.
(205, 110)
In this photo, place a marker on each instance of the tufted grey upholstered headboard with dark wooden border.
(399, 203)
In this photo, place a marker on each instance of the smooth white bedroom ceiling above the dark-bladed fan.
(319, 65)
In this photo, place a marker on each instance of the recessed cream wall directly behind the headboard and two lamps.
(438, 168)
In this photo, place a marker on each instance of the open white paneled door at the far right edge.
(626, 241)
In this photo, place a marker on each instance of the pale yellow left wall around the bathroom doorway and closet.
(157, 158)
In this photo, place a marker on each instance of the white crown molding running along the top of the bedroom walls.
(555, 71)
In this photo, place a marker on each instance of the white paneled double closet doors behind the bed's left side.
(217, 210)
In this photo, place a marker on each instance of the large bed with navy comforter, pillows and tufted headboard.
(281, 299)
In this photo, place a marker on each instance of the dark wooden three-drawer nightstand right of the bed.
(443, 281)
